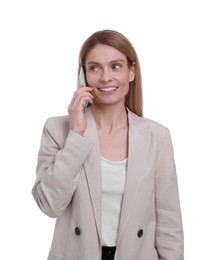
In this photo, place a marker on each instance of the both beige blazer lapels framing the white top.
(138, 140)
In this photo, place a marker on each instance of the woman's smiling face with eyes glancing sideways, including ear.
(108, 74)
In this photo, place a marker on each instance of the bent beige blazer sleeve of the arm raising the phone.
(58, 168)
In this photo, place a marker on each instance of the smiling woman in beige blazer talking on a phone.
(107, 173)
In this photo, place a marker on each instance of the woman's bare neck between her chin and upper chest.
(110, 119)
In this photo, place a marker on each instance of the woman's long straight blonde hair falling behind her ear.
(134, 98)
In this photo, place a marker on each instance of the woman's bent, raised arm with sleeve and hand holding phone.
(60, 161)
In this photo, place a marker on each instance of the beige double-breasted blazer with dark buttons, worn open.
(68, 187)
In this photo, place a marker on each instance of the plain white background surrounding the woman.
(176, 42)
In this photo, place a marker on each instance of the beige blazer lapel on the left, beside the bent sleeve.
(92, 167)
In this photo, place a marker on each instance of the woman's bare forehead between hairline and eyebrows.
(104, 53)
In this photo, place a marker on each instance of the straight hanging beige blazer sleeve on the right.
(169, 230)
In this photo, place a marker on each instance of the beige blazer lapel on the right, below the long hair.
(139, 137)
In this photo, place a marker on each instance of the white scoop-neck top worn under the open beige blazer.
(113, 181)
